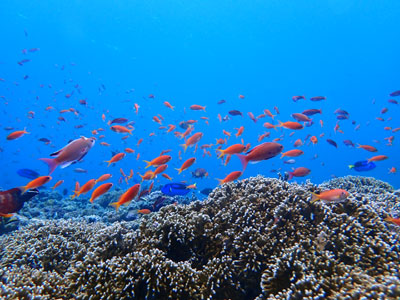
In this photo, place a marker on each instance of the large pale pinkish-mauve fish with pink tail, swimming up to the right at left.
(71, 153)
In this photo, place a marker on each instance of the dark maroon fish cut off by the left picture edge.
(13, 200)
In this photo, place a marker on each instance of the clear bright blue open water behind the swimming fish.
(197, 52)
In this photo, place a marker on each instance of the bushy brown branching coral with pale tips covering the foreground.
(256, 239)
